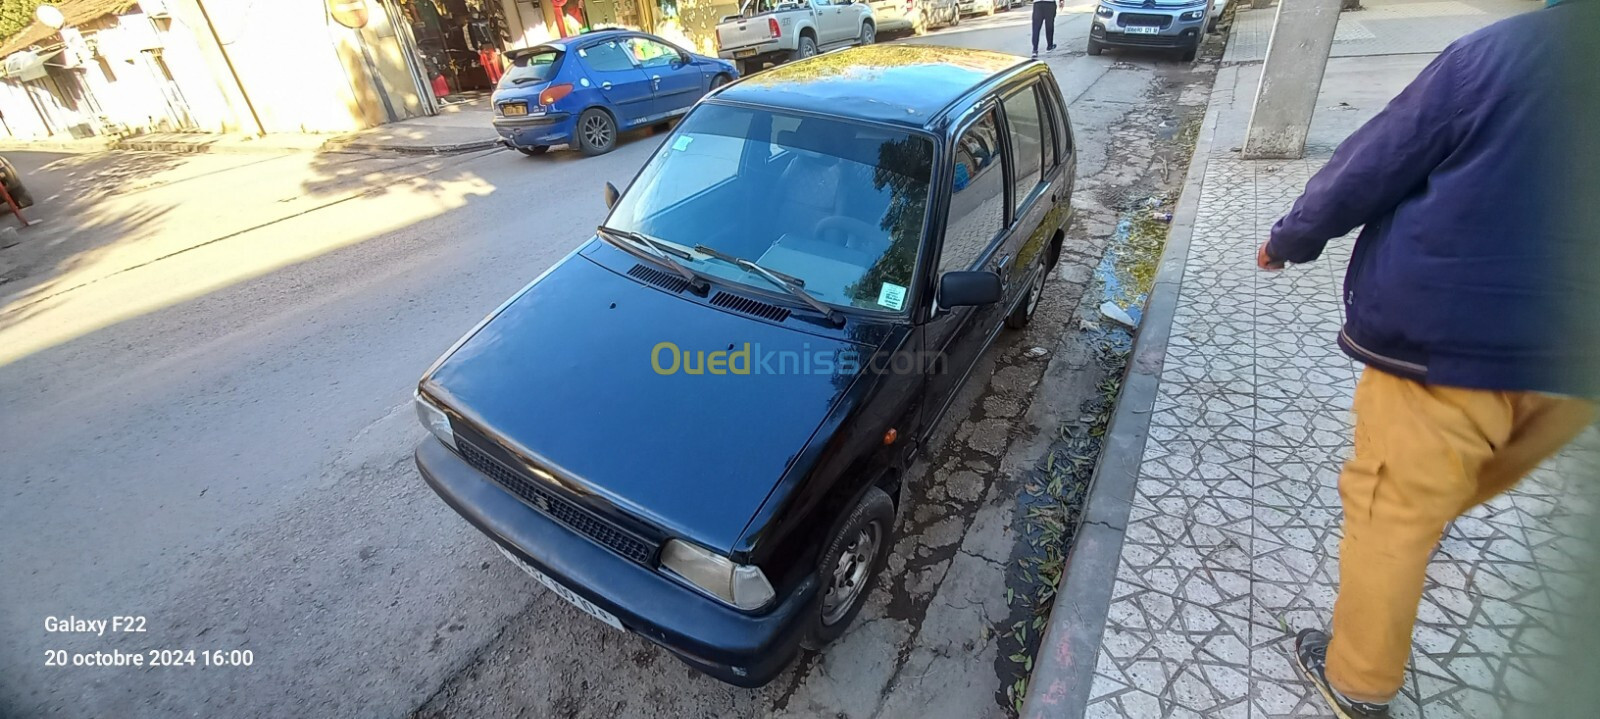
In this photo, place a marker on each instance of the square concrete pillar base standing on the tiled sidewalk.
(1292, 78)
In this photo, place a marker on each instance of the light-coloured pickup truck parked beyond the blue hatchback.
(778, 31)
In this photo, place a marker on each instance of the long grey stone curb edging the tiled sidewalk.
(1065, 665)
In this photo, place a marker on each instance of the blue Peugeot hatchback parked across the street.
(583, 90)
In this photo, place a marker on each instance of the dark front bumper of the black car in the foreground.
(737, 648)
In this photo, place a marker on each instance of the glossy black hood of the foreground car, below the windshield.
(564, 376)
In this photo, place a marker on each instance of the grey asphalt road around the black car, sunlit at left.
(206, 420)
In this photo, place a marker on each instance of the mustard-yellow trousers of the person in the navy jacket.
(1423, 457)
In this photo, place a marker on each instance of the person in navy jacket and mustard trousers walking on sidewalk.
(1457, 302)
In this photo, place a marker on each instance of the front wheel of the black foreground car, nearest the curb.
(874, 515)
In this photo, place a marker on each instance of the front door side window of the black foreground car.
(977, 196)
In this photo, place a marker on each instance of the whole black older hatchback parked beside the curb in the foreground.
(698, 425)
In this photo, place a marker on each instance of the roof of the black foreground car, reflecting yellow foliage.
(911, 86)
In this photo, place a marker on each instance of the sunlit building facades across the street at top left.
(290, 66)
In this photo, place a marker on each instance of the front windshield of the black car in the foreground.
(836, 204)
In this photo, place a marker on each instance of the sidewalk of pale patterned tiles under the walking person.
(1233, 532)
